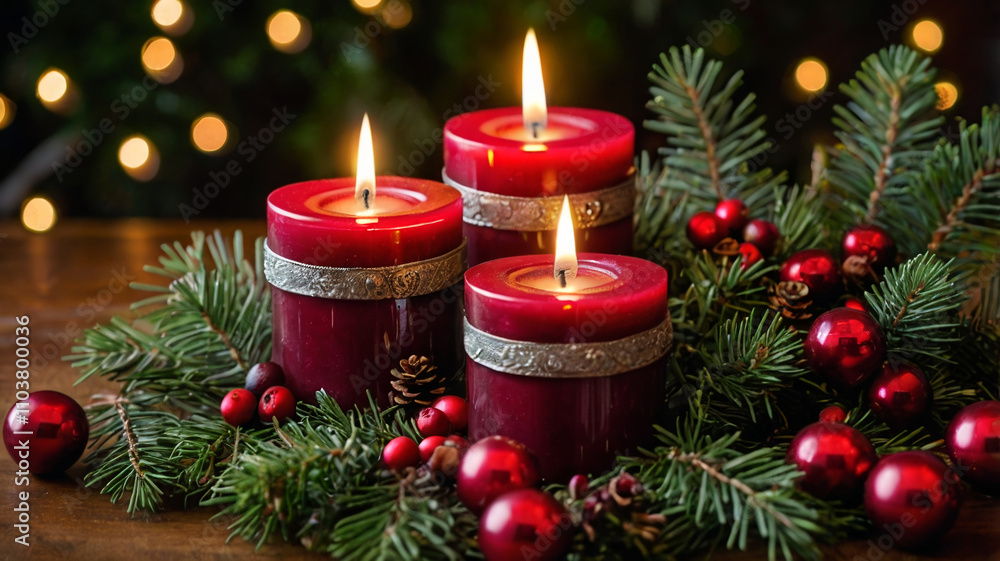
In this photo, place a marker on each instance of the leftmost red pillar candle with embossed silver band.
(355, 291)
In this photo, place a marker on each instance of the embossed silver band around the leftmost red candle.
(365, 283)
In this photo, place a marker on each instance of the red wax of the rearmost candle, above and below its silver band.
(582, 150)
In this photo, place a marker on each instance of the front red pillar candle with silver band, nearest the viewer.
(576, 374)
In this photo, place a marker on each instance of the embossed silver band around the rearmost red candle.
(533, 214)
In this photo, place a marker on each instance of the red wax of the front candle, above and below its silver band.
(573, 425)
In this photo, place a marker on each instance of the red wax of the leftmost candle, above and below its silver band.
(340, 345)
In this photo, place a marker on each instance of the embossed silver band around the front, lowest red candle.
(568, 360)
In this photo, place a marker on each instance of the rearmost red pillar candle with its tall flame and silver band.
(513, 166)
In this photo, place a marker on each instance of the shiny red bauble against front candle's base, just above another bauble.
(493, 466)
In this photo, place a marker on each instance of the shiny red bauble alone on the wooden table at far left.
(46, 435)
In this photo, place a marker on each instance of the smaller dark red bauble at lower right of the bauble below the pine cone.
(900, 395)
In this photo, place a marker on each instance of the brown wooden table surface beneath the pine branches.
(67, 279)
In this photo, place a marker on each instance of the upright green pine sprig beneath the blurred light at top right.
(887, 132)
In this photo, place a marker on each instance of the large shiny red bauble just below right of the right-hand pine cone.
(845, 345)
